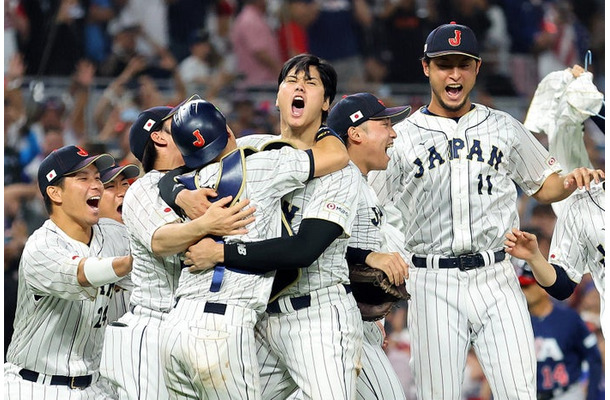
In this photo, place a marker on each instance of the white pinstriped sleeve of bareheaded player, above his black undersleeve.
(336, 198)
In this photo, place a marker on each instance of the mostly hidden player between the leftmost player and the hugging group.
(116, 181)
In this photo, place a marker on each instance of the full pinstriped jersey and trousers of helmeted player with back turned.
(213, 356)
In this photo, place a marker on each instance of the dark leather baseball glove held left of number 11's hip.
(374, 292)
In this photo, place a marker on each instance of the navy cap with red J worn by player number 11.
(452, 38)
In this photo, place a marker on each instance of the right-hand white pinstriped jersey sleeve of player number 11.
(530, 162)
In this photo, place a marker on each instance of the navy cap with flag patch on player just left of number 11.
(357, 108)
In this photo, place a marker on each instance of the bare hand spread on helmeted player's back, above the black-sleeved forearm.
(220, 220)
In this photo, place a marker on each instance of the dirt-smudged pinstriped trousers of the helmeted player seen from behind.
(210, 356)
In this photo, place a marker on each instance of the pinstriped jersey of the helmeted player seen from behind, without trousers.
(269, 175)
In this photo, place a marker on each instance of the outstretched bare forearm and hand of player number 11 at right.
(558, 187)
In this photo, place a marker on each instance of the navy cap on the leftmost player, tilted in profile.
(66, 161)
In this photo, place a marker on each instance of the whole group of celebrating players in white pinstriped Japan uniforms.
(223, 270)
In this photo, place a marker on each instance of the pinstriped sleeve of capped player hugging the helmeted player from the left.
(144, 211)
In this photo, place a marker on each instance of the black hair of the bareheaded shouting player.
(328, 75)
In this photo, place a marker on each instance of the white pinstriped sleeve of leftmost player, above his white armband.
(49, 266)
